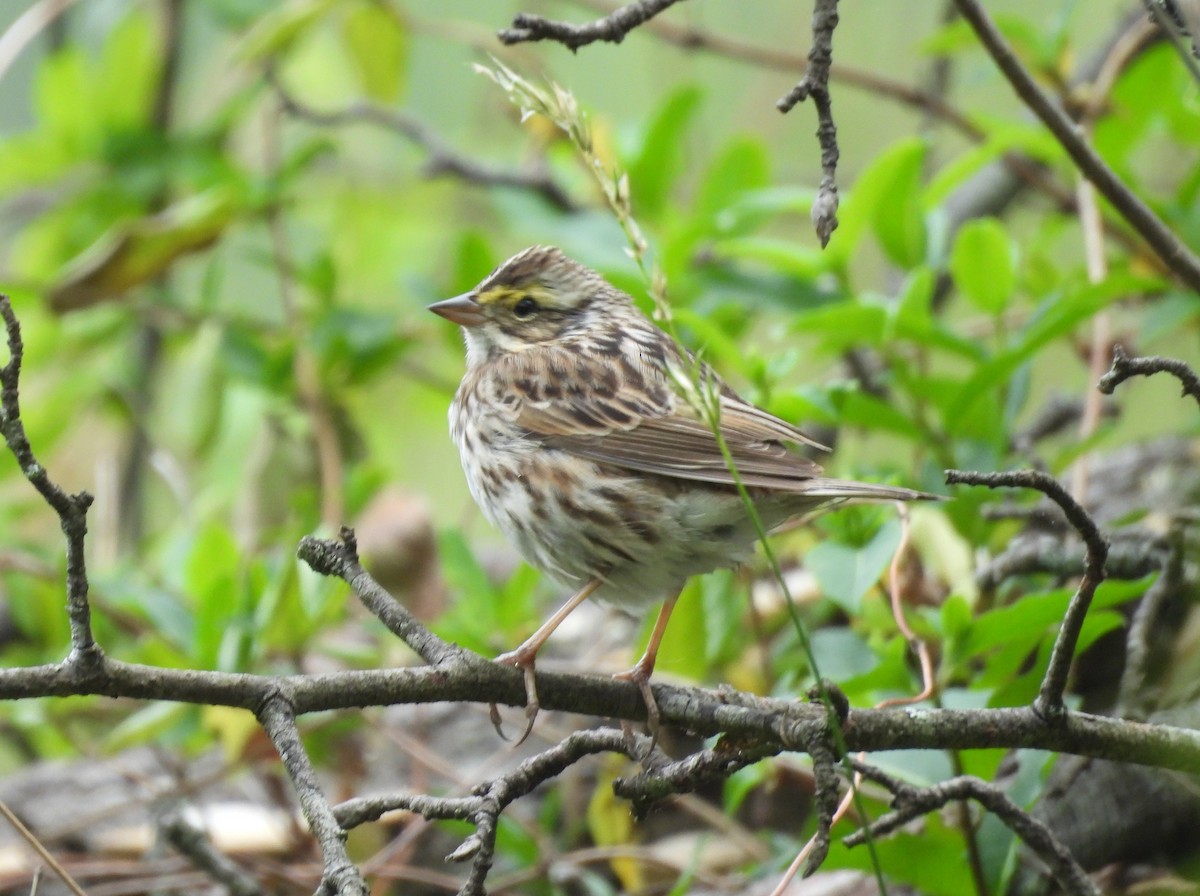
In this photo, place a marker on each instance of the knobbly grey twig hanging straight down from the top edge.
(815, 86)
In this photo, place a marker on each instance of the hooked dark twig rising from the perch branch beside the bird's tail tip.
(1049, 705)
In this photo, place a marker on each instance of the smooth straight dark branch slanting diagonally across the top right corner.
(1174, 254)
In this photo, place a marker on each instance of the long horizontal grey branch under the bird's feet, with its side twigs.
(751, 729)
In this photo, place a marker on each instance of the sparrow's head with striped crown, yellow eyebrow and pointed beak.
(537, 297)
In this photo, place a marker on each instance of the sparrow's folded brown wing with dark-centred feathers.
(628, 414)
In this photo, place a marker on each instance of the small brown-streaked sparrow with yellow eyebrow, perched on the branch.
(581, 448)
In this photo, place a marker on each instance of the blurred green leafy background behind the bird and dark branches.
(224, 220)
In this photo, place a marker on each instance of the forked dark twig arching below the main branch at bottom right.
(913, 803)
